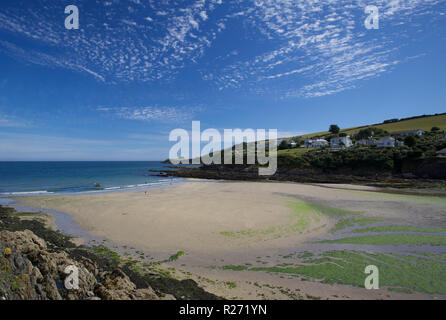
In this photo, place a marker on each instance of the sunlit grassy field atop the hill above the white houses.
(425, 123)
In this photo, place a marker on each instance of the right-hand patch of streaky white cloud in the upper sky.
(322, 47)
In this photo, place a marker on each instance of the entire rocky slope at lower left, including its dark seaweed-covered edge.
(33, 262)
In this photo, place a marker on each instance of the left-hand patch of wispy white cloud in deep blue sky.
(118, 41)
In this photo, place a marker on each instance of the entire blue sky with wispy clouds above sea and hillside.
(136, 69)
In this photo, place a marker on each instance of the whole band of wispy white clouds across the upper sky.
(303, 48)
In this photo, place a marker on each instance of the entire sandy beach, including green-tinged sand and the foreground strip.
(217, 224)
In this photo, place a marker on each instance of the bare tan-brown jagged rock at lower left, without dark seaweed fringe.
(32, 270)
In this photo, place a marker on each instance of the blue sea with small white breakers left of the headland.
(18, 178)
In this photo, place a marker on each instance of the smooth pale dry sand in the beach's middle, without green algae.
(190, 216)
